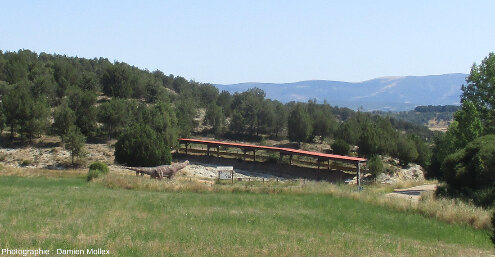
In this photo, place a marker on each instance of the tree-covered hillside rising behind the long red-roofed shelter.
(94, 99)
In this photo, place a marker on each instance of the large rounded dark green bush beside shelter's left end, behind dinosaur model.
(140, 145)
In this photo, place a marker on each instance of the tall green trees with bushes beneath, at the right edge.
(464, 157)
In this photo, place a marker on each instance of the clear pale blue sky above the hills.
(260, 41)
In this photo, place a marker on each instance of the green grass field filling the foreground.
(69, 213)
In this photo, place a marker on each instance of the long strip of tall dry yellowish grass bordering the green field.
(447, 210)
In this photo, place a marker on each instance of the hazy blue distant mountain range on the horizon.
(386, 94)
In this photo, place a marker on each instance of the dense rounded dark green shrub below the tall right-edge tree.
(470, 172)
